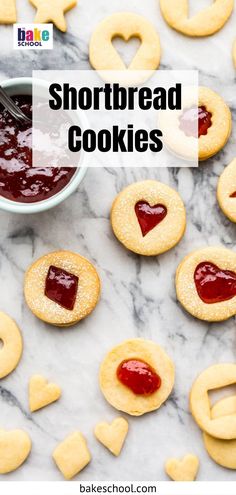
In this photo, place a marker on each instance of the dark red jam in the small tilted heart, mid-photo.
(149, 216)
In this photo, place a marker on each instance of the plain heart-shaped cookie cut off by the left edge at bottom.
(15, 447)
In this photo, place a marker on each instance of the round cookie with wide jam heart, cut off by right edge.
(206, 283)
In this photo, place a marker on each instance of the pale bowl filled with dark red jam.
(24, 188)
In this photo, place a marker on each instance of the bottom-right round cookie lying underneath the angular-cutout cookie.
(223, 452)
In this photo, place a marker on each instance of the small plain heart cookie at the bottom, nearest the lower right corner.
(184, 469)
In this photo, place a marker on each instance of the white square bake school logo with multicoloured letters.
(33, 36)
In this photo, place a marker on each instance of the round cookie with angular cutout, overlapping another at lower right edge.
(215, 377)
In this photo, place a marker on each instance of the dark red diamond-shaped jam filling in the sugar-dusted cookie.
(61, 287)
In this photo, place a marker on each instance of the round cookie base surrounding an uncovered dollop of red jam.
(121, 396)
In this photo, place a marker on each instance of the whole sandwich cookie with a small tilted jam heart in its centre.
(148, 217)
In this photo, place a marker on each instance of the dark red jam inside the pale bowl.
(19, 181)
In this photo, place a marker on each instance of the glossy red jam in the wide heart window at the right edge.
(213, 284)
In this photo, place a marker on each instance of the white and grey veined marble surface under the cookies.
(138, 294)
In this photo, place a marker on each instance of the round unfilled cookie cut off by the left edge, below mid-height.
(11, 339)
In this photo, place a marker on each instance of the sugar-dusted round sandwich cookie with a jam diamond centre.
(61, 288)
